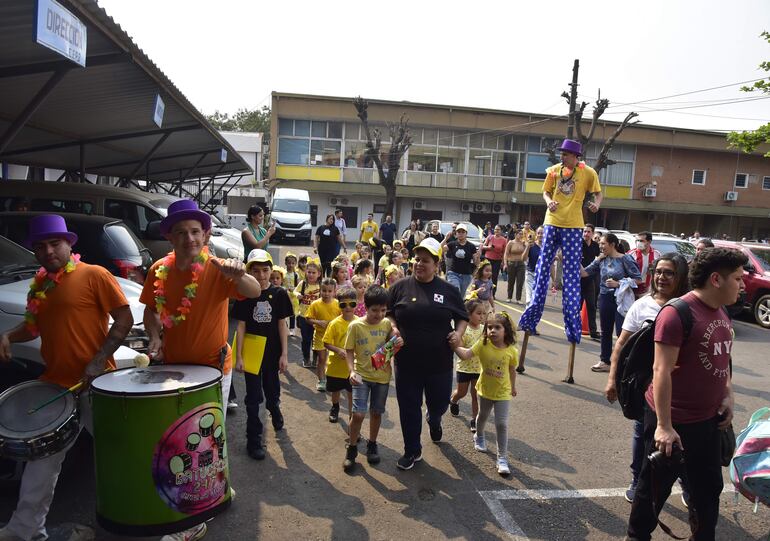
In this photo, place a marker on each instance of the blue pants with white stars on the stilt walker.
(570, 240)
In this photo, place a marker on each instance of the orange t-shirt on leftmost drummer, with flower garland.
(73, 322)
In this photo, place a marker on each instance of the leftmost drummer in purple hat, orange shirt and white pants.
(71, 318)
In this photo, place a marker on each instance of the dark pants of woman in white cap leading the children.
(411, 384)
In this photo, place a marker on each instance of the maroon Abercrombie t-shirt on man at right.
(699, 380)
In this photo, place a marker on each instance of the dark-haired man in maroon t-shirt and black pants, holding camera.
(690, 398)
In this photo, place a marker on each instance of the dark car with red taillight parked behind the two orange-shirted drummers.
(101, 241)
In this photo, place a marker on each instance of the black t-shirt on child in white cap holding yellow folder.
(262, 316)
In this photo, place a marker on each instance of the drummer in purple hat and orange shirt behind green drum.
(186, 296)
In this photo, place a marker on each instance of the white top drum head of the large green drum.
(156, 380)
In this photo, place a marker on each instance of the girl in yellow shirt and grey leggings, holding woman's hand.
(497, 384)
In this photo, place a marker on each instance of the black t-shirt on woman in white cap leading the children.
(424, 313)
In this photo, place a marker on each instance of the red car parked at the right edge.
(756, 278)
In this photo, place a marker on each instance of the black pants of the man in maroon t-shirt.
(703, 473)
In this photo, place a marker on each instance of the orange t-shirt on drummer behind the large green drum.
(200, 338)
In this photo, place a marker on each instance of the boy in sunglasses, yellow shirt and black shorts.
(337, 372)
